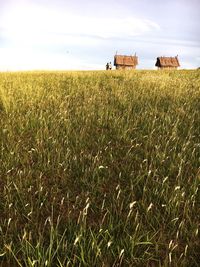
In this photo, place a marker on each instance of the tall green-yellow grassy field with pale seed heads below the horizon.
(100, 169)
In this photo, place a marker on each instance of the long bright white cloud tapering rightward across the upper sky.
(27, 23)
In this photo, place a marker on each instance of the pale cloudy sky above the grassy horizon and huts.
(86, 34)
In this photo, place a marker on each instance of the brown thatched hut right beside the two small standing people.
(125, 62)
